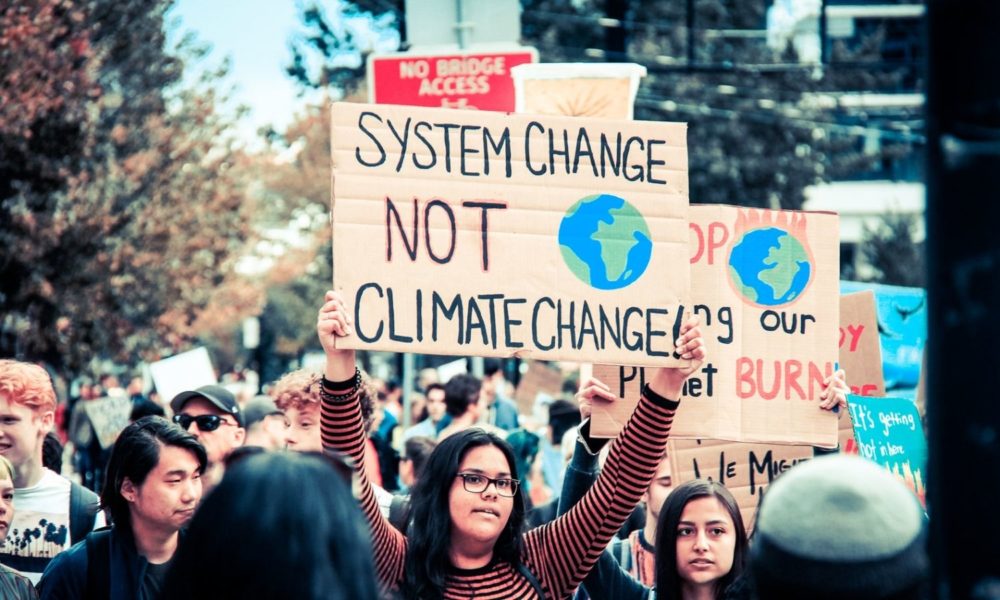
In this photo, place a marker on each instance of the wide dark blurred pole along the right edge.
(963, 256)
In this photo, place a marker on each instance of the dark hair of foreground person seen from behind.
(286, 526)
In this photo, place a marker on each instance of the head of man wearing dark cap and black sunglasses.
(212, 415)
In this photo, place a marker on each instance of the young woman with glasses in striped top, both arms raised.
(466, 536)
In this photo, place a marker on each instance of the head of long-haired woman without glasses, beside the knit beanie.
(701, 543)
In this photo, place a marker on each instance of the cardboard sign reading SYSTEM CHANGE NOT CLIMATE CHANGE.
(471, 233)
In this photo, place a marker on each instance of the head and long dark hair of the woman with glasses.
(468, 496)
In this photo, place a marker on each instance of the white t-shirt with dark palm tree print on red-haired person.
(40, 528)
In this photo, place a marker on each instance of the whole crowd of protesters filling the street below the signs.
(314, 491)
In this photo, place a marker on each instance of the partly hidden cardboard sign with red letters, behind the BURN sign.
(860, 356)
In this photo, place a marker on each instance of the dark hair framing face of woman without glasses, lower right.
(668, 581)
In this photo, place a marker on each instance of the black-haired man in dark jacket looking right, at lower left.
(151, 490)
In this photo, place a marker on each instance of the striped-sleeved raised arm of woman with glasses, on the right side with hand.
(564, 551)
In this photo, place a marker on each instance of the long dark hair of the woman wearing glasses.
(427, 561)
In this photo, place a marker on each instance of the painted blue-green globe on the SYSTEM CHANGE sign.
(605, 242)
